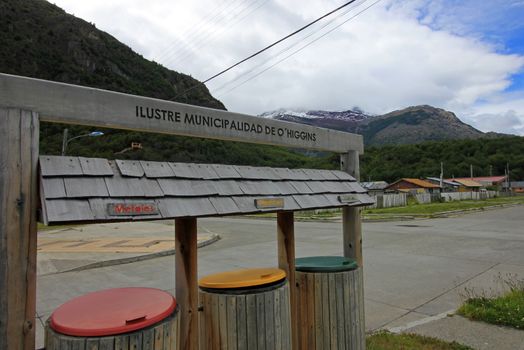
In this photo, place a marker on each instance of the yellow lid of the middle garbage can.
(242, 278)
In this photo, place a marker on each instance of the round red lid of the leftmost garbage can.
(112, 311)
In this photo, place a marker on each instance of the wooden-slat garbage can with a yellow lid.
(245, 309)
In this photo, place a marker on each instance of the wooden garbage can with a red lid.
(134, 318)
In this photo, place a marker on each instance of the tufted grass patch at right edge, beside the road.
(507, 310)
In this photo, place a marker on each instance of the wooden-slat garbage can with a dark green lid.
(330, 303)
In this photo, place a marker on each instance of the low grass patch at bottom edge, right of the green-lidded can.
(390, 341)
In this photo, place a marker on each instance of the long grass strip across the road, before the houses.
(433, 208)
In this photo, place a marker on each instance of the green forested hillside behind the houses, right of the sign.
(392, 162)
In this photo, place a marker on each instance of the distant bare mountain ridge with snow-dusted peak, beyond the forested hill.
(407, 126)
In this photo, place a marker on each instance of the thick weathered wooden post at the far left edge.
(18, 195)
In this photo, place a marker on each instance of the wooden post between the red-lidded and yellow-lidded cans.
(186, 281)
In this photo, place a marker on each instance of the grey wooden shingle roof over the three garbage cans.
(77, 189)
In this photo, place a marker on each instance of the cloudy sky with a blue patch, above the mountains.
(466, 56)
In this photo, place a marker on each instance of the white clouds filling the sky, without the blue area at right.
(382, 60)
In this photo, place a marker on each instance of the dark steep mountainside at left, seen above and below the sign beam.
(40, 40)
